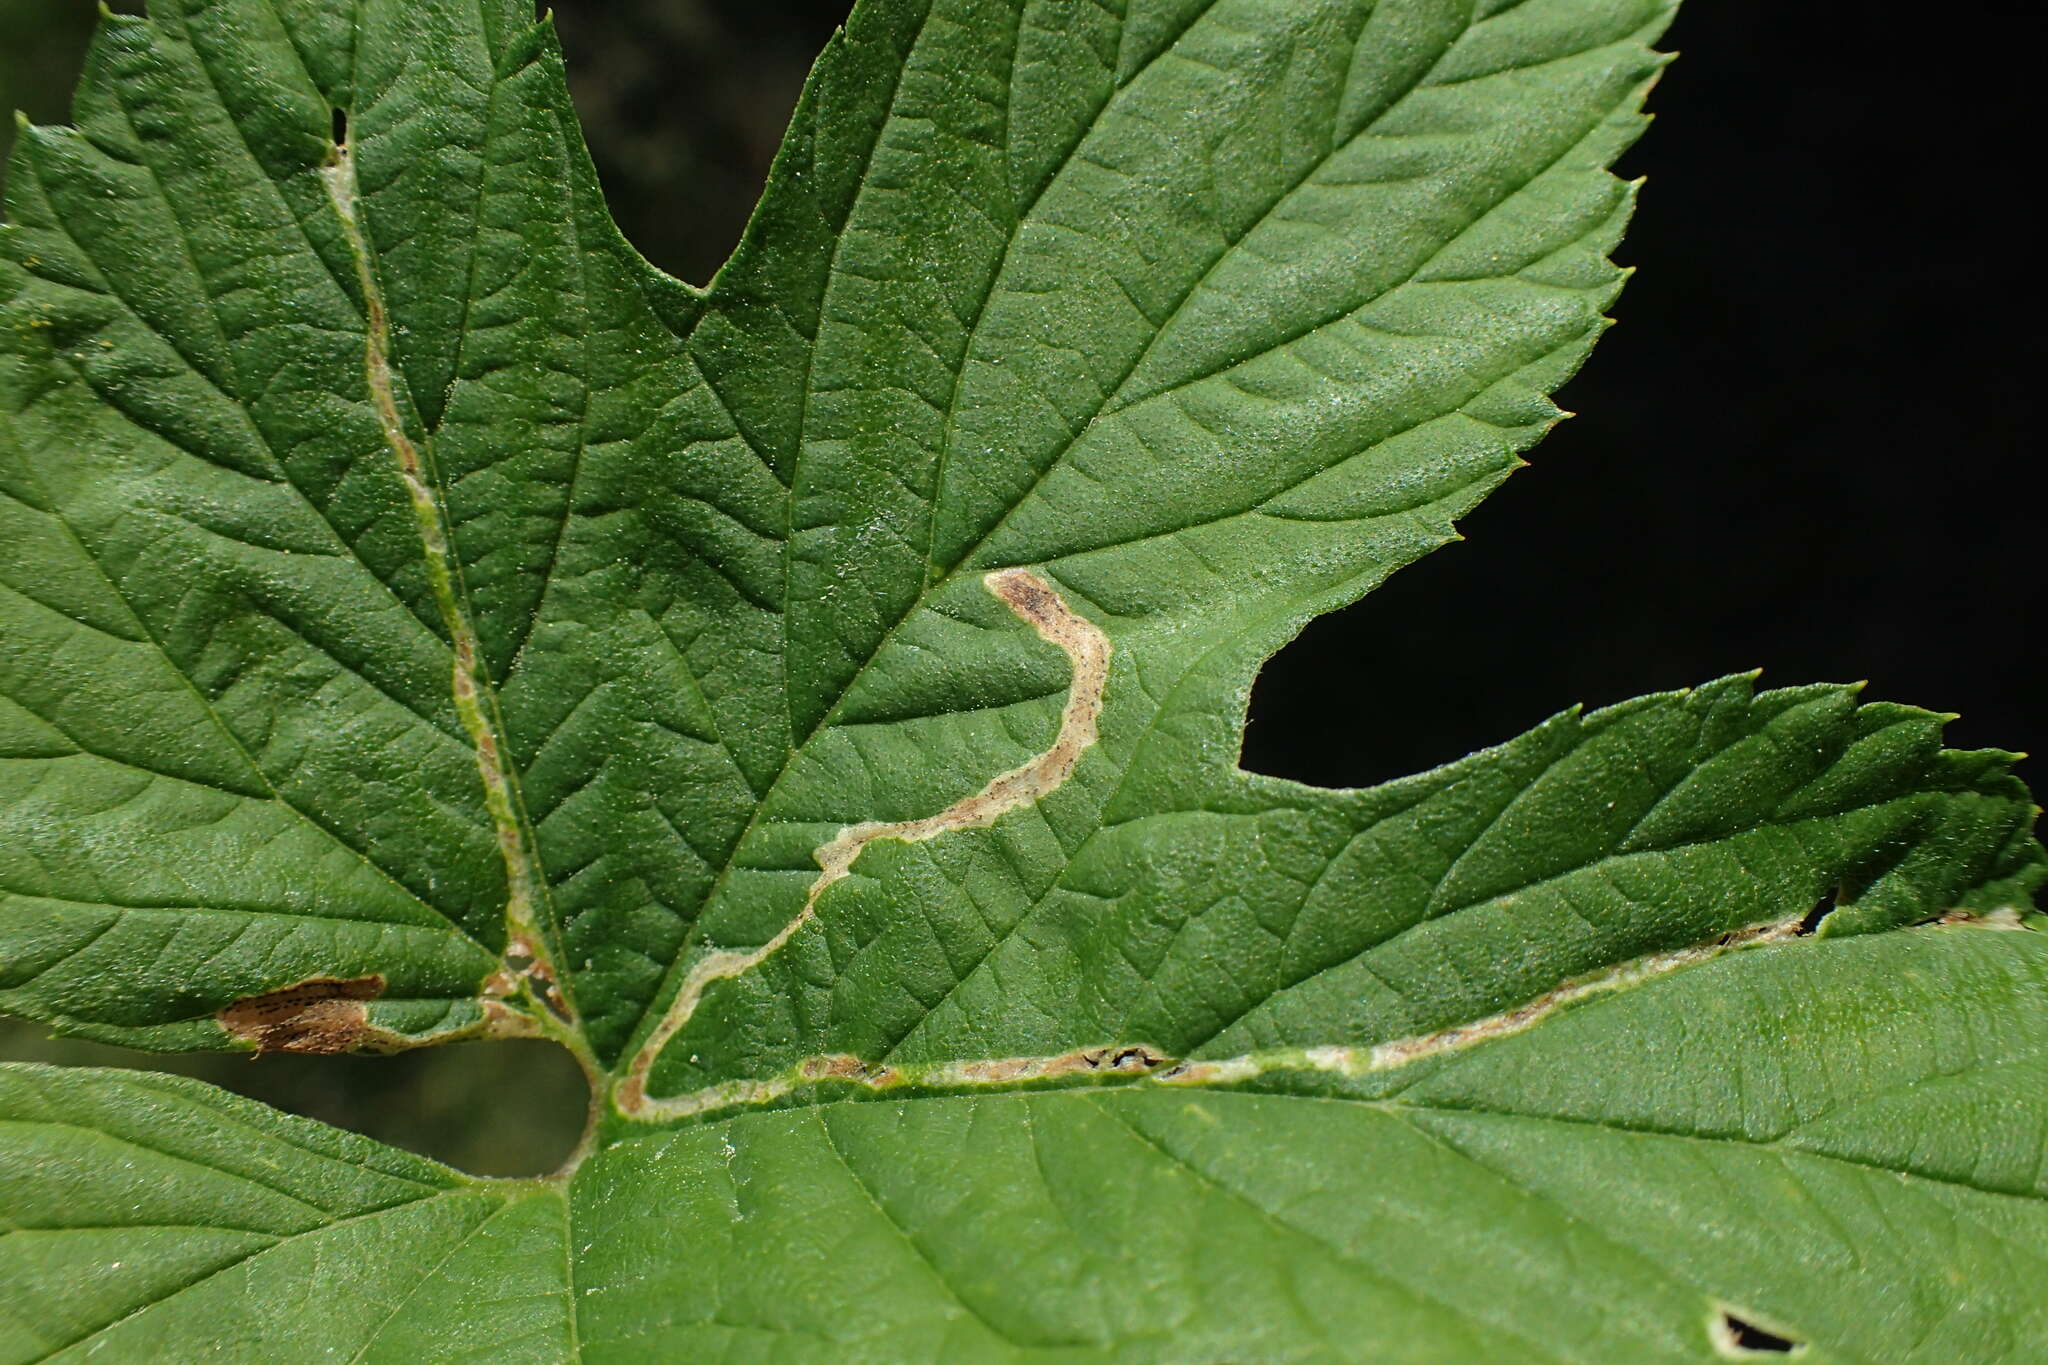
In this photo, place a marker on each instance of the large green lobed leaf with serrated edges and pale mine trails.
(814, 701)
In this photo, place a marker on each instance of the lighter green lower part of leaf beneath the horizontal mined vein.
(1822, 1137)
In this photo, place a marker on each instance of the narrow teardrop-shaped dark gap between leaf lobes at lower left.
(507, 1108)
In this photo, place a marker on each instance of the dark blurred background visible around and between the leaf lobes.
(1807, 447)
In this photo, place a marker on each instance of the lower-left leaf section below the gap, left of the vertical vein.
(148, 1215)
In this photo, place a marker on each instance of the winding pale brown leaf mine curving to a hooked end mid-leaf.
(1084, 644)
